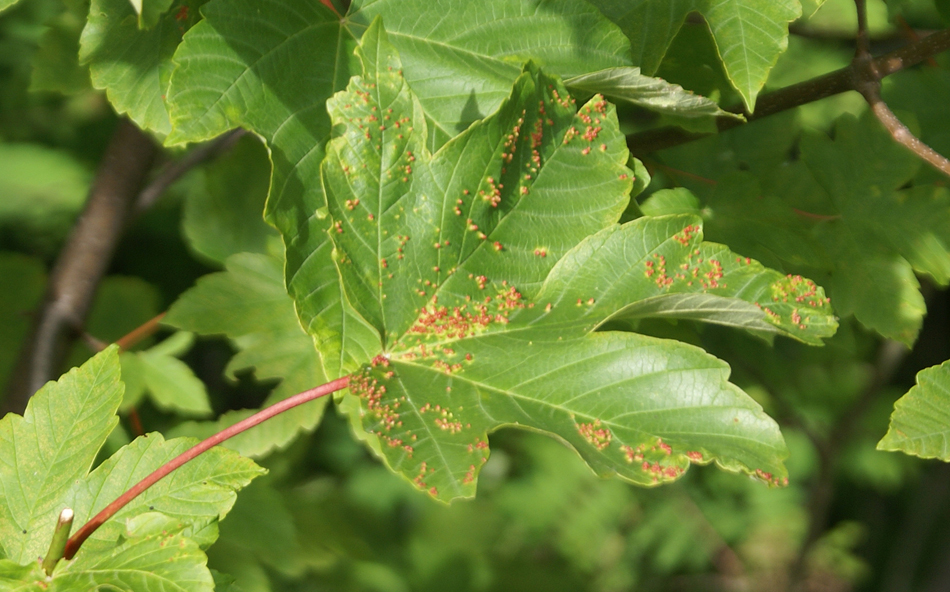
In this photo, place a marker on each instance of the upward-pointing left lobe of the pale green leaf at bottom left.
(52, 446)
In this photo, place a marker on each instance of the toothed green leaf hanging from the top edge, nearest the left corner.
(133, 66)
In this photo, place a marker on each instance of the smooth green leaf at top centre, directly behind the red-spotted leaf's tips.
(462, 68)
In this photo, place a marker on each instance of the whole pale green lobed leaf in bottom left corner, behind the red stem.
(45, 456)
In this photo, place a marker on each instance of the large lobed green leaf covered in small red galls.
(484, 269)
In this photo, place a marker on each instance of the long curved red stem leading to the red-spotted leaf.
(99, 519)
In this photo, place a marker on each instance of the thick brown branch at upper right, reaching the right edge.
(809, 91)
